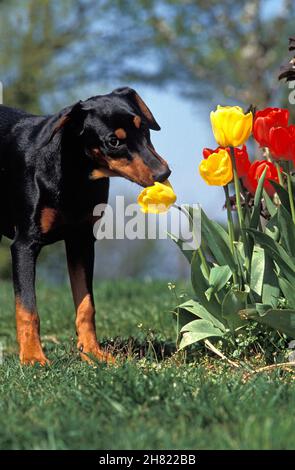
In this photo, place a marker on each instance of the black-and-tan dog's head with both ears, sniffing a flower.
(115, 132)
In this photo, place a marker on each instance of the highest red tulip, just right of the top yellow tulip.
(266, 119)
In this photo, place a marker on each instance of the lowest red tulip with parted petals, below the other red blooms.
(255, 171)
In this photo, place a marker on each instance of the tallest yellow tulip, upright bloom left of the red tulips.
(231, 127)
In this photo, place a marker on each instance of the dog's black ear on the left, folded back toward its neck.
(71, 116)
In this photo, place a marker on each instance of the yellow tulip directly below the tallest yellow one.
(217, 169)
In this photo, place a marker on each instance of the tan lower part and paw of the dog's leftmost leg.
(28, 327)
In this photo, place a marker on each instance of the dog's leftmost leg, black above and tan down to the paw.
(24, 255)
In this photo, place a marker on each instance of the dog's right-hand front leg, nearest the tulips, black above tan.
(80, 257)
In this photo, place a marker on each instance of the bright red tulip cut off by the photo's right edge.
(282, 142)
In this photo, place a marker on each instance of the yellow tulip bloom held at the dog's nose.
(157, 198)
